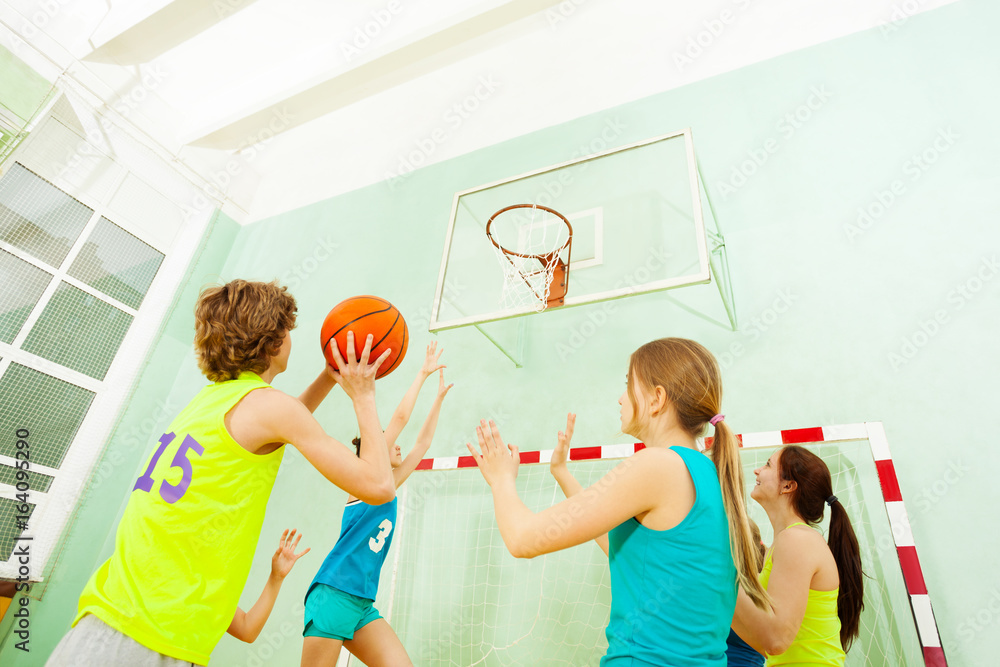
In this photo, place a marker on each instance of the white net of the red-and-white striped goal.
(455, 596)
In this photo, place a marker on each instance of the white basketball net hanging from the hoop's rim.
(528, 231)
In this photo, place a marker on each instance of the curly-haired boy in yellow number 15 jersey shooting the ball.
(185, 543)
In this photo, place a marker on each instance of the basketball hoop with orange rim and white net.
(535, 274)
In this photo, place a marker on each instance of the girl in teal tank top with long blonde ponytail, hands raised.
(669, 513)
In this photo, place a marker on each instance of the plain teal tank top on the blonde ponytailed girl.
(673, 592)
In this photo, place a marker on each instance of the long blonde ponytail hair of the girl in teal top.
(691, 379)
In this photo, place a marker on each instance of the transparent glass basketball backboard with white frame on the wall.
(636, 215)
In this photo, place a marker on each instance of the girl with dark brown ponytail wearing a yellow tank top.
(817, 586)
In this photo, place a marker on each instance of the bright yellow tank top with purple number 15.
(185, 543)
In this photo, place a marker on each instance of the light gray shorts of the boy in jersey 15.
(94, 643)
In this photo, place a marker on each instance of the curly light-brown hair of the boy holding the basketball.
(239, 327)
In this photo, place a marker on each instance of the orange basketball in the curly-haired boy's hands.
(366, 315)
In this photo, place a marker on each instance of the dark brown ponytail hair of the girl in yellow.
(813, 488)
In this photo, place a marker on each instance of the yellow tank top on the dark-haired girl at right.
(818, 639)
